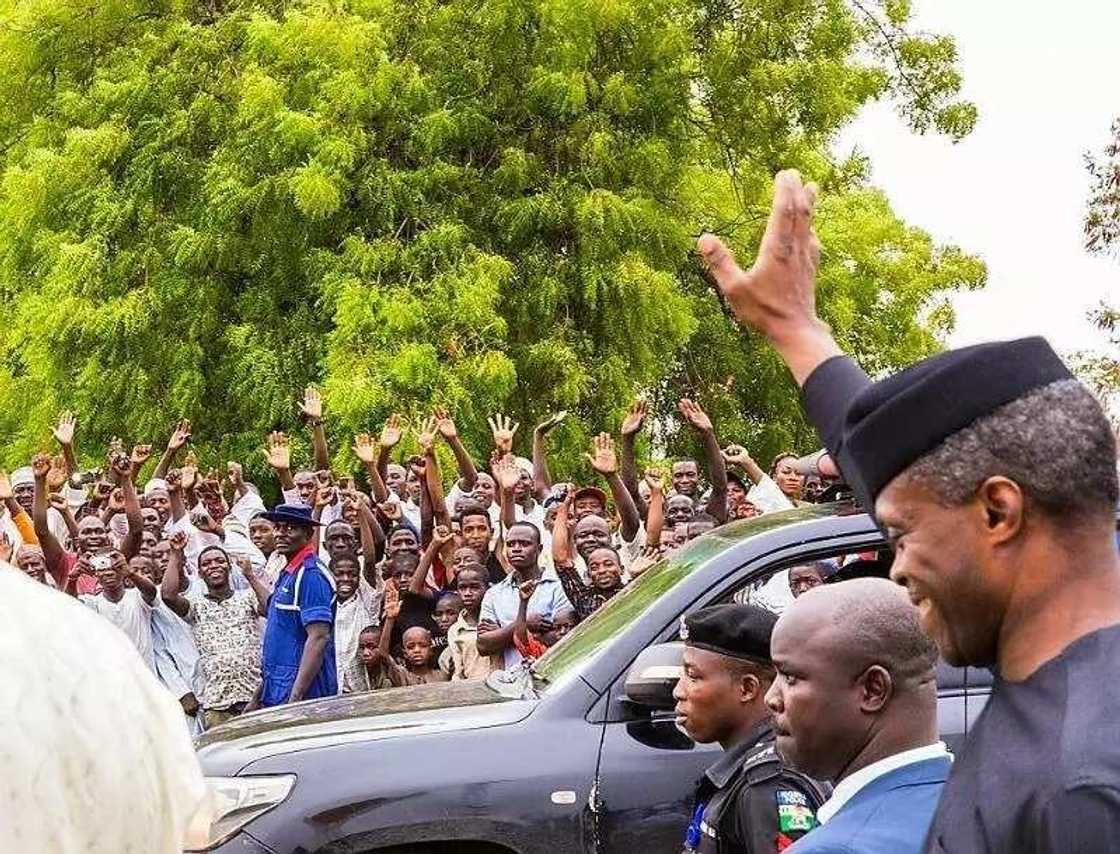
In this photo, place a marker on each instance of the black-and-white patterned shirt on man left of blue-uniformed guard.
(229, 639)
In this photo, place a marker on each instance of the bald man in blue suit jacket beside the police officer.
(855, 702)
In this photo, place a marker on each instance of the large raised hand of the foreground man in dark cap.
(778, 294)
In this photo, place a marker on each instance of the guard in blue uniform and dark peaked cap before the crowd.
(298, 660)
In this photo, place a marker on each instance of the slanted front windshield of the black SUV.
(572, 655)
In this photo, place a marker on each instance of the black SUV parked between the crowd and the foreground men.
(581, 754)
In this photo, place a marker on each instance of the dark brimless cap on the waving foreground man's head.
(895, 422)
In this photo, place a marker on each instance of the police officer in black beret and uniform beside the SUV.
(748, 802)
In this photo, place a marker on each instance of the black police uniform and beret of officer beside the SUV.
(748, 802)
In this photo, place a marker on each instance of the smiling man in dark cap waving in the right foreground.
(993, 474)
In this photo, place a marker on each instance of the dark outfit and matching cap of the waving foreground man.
(1042, 773)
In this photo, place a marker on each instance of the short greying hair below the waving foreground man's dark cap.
(1056, 443)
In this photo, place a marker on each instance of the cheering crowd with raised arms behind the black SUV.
(419, 583)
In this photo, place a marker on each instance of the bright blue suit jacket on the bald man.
(891, 815)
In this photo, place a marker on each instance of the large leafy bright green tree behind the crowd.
(487, 205)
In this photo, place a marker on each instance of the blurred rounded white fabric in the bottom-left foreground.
(95, 748)
